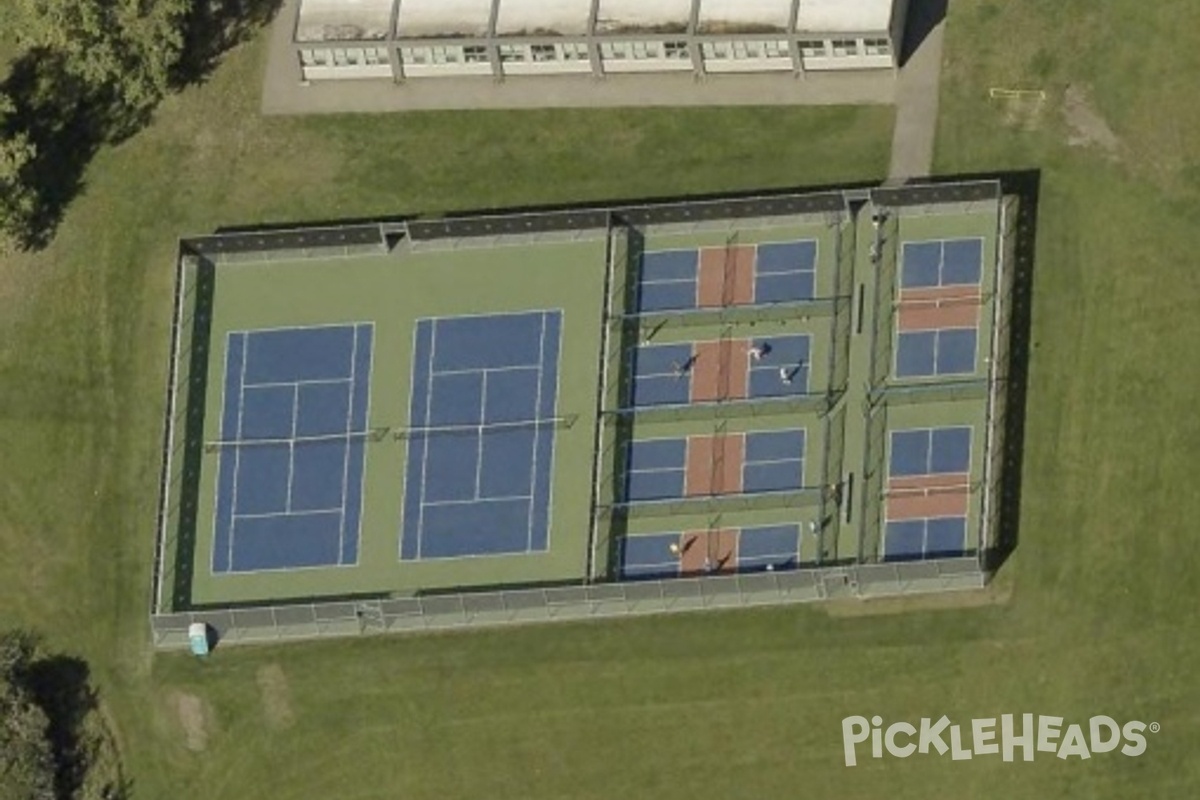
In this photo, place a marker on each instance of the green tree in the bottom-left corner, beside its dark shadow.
(27, 760)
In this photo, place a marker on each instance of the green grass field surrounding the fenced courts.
(1094, 615)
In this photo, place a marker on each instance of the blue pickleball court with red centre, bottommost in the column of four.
(699, 552)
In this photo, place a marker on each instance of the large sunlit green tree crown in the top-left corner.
(122, 49)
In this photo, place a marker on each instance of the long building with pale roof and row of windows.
(411, 40)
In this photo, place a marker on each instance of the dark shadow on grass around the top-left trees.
(69, 122)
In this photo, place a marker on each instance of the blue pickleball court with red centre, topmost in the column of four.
(734, 275)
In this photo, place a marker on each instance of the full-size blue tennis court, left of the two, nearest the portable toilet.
(290, 486)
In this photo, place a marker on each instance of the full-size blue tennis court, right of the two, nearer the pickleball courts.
(482, 436)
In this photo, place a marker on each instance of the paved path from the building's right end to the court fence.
(913, 141)
